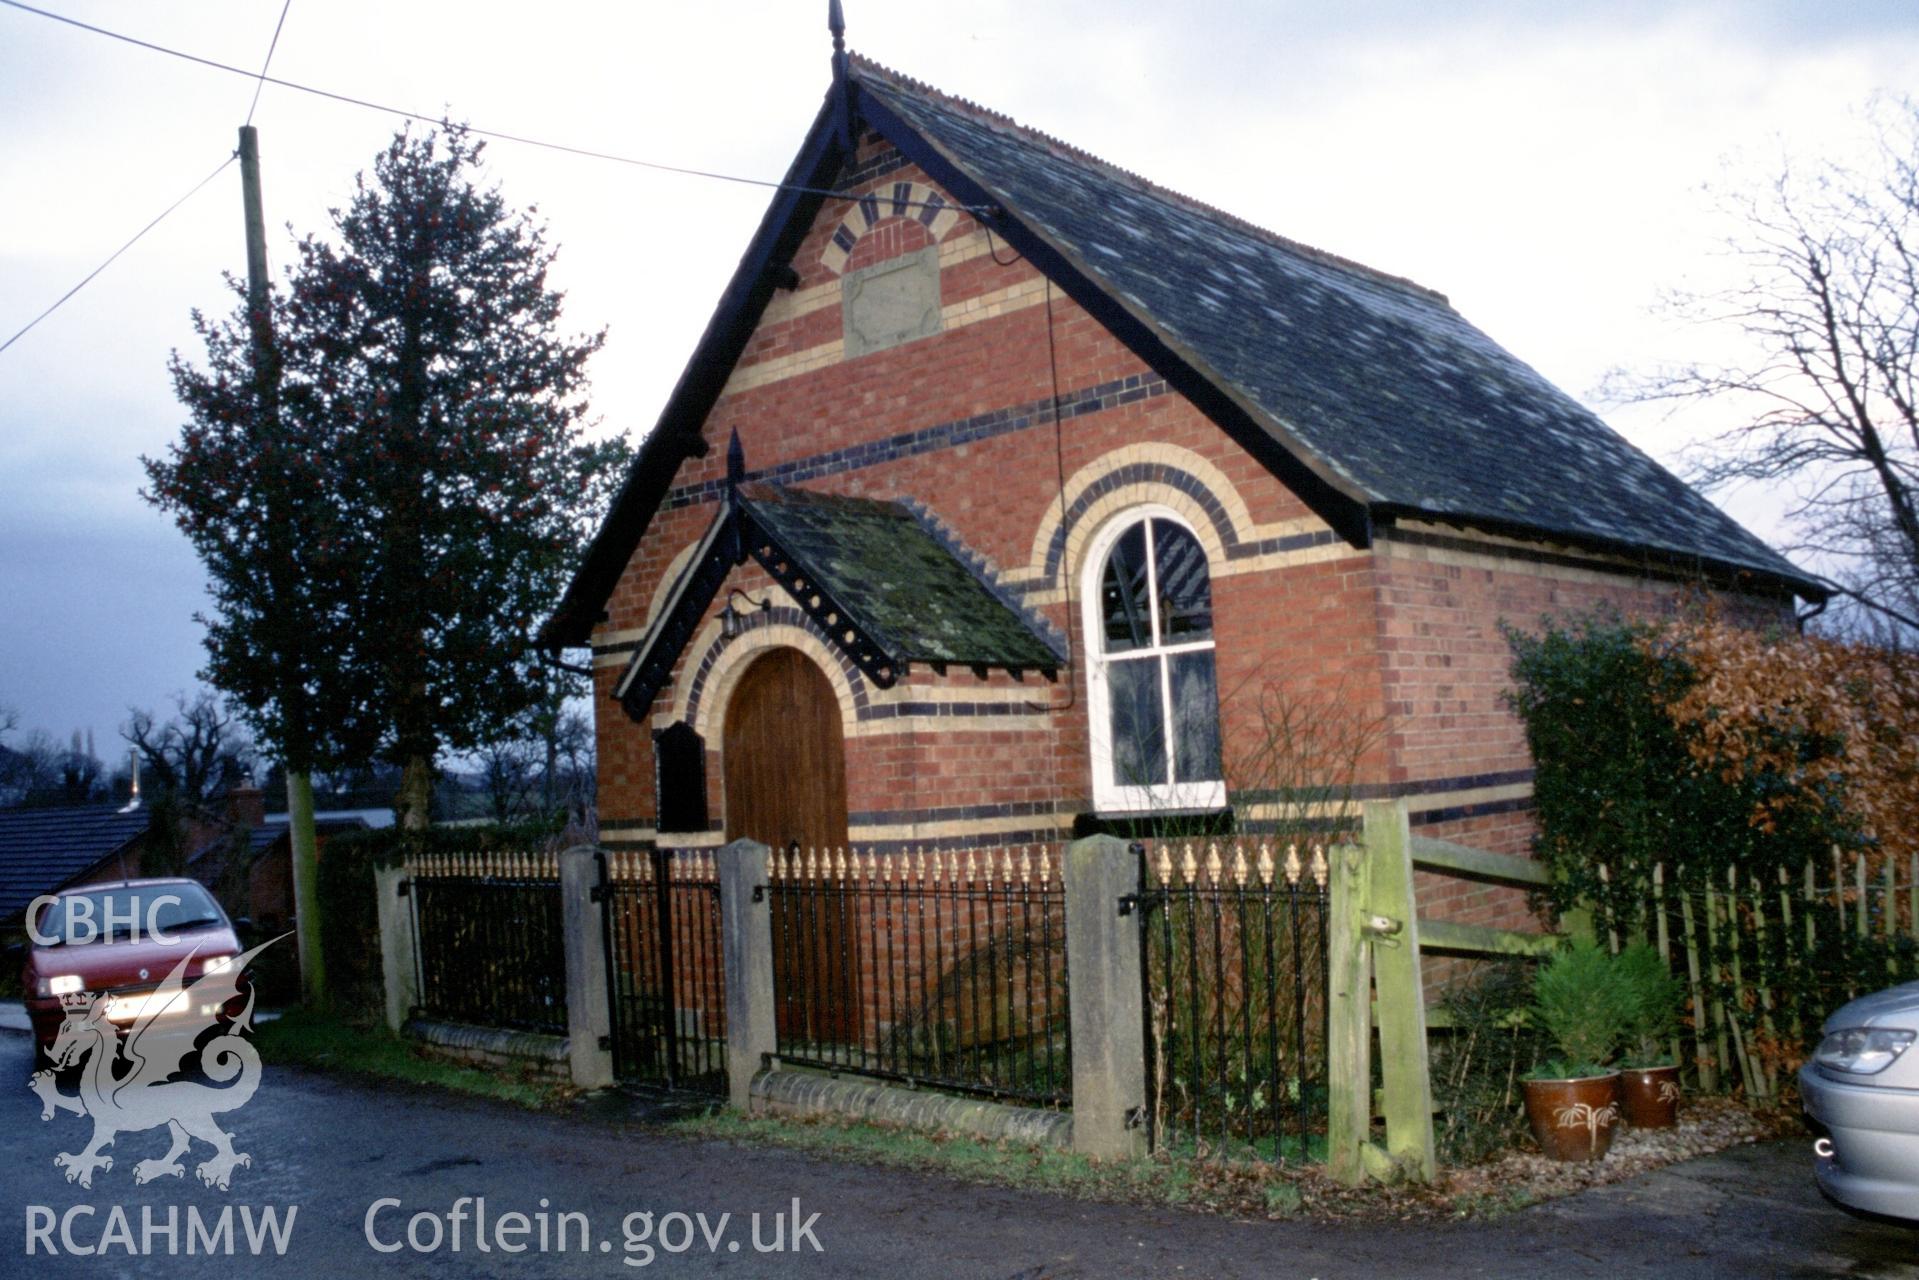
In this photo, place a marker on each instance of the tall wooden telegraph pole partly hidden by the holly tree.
(302, 834)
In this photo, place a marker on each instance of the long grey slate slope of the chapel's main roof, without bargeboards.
(1396, 398)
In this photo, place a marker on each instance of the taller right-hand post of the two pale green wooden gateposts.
(1396, 964)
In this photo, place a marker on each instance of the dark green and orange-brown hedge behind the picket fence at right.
(1745, 765)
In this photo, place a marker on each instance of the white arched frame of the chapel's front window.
(1108, 794)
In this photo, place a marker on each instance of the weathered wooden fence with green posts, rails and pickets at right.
(1765, 960)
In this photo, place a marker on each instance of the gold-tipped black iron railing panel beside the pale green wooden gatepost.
(1235, 989)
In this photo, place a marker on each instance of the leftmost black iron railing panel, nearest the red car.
(490, 941)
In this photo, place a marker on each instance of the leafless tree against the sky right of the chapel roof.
(1828, 389)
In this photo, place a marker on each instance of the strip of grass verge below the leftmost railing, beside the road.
(333, 1043)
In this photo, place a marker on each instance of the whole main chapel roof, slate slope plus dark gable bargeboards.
(1363, 392)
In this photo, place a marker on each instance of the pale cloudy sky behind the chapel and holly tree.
(1540, 164)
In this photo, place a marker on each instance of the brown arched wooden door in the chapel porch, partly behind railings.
(784, 763)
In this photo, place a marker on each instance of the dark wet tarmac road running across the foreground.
(335, 1149)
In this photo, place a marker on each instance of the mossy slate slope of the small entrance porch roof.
(897, 581)
